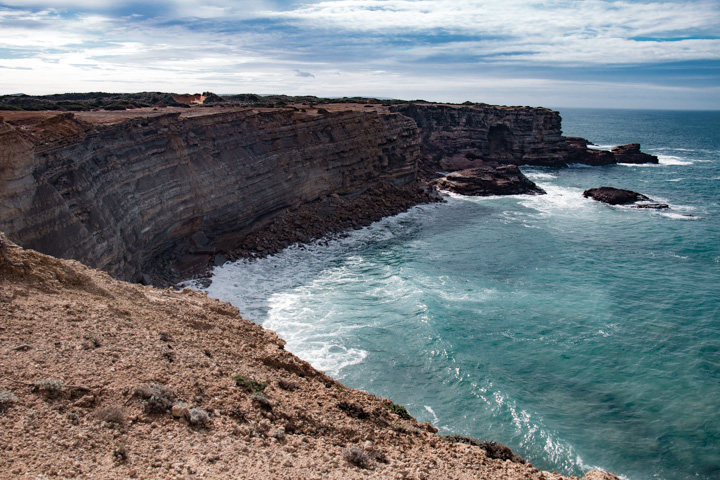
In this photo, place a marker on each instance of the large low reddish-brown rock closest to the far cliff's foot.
(488, 180)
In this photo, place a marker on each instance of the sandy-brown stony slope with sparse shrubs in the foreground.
(105, 379)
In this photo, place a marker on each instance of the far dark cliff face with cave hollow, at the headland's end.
(460, 137)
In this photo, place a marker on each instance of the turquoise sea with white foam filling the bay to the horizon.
(579, 334)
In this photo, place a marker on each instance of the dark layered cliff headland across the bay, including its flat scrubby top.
(156, 194)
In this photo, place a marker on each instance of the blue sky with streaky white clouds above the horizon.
(558, 53)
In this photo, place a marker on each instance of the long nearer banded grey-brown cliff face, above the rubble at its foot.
(116, 196)
